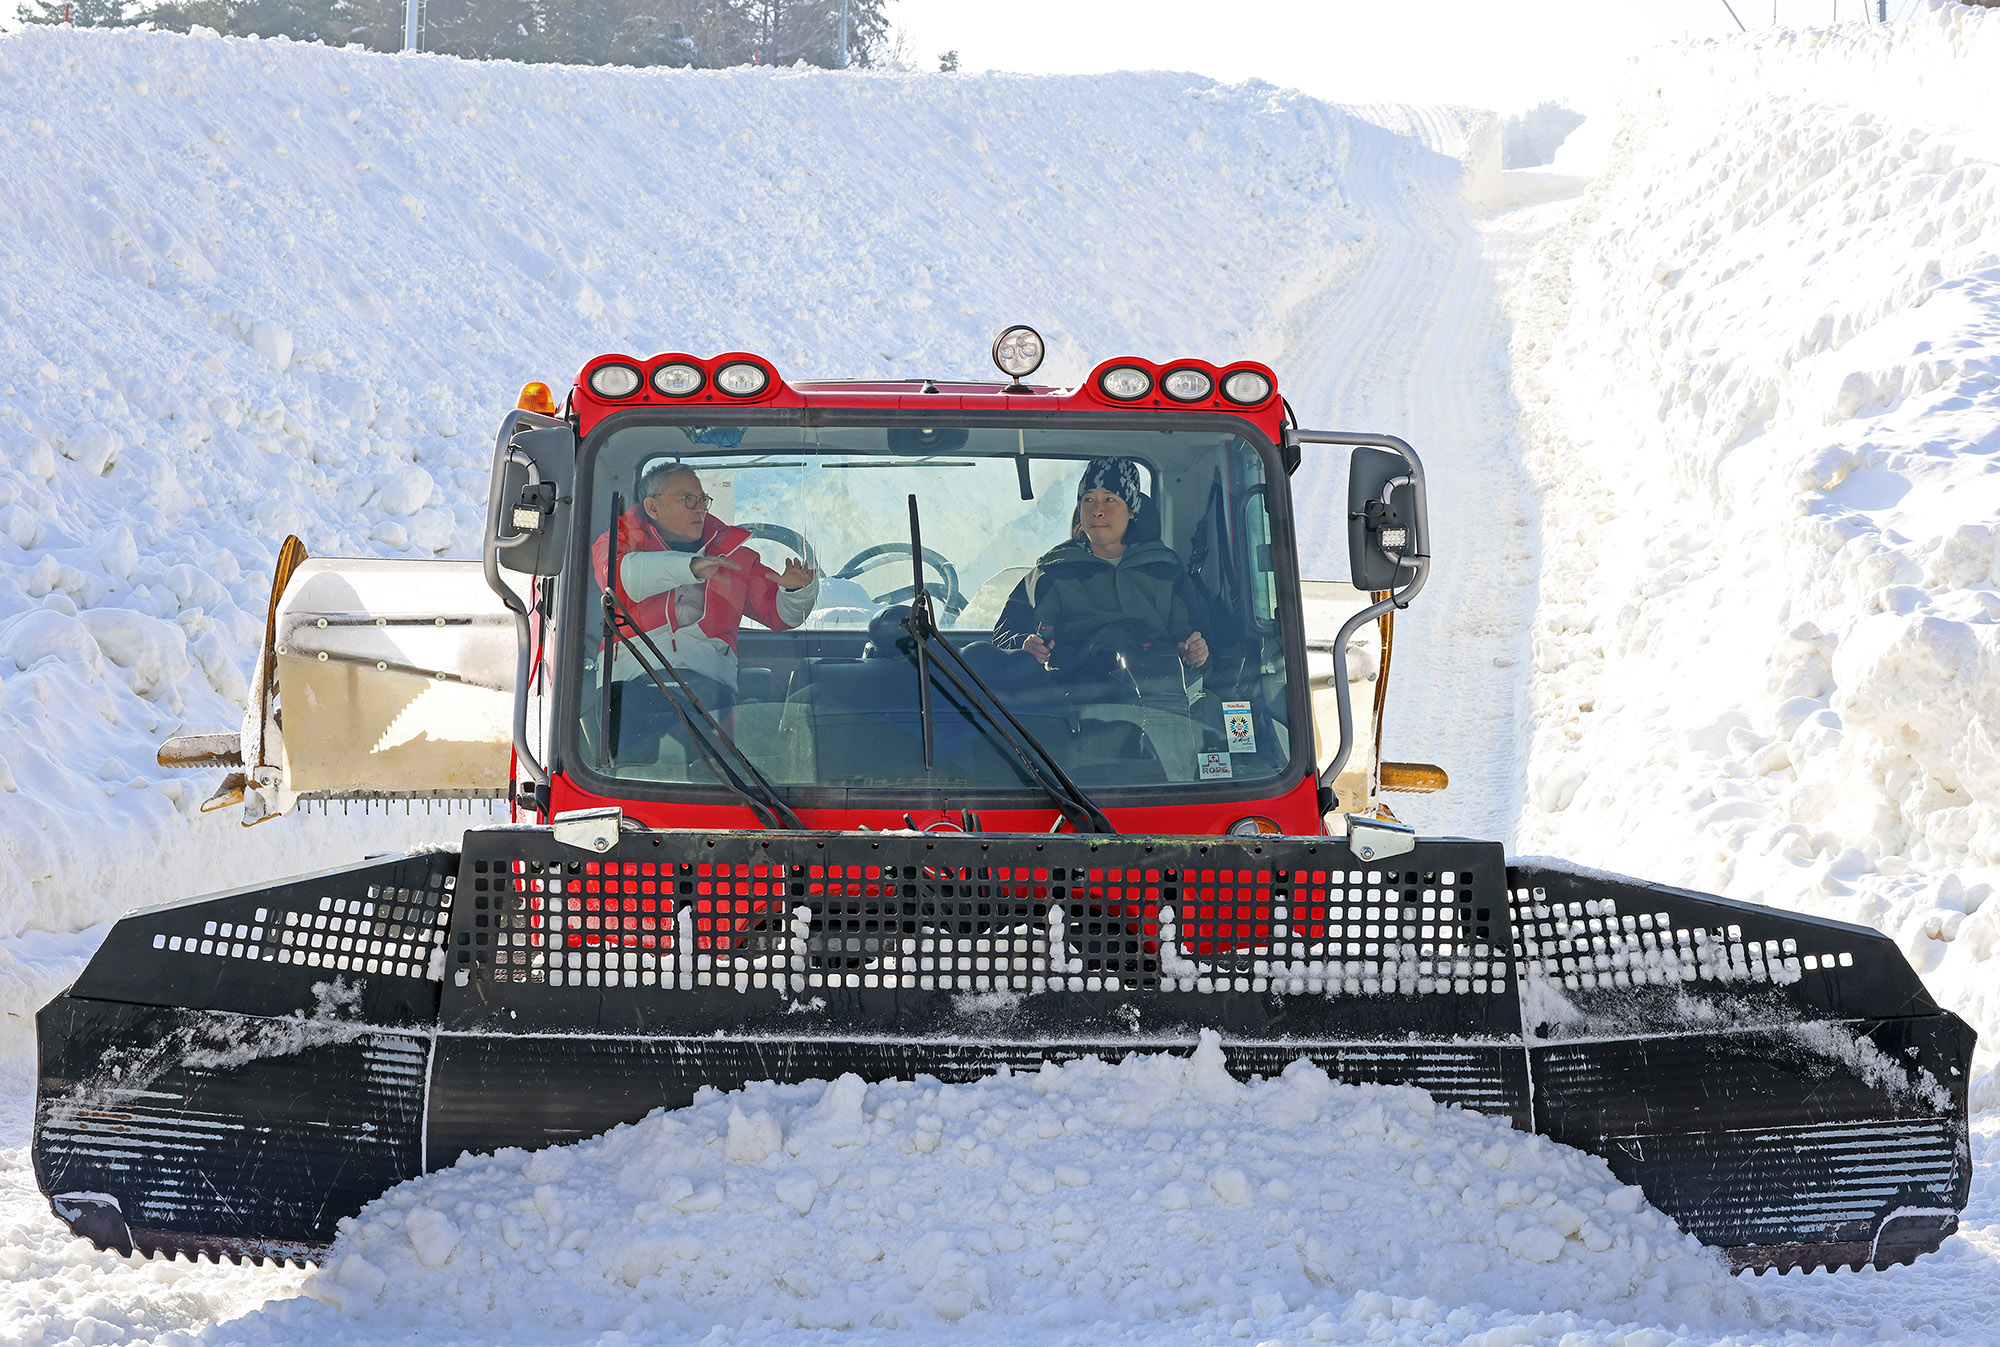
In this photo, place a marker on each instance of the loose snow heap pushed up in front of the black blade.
(1153, 1192)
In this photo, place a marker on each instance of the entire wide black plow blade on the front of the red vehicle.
(237, 1074)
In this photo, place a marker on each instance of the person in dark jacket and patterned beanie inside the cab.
(1113, 591)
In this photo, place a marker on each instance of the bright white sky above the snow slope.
(1503, 55)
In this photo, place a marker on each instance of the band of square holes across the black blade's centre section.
(1069, 916)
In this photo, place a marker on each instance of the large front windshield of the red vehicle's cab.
(1113, 587)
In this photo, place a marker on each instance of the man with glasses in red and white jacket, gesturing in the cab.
(689, 581)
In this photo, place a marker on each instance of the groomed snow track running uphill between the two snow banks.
(1411, 341)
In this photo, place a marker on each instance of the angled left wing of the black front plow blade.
(231, 1076)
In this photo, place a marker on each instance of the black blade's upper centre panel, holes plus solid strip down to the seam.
(923, 932)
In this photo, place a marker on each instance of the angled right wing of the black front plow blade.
(1781, 1086)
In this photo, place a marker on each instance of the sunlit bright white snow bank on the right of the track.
(1763, 387)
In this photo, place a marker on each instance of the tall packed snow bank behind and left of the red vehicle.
(263, 289)
